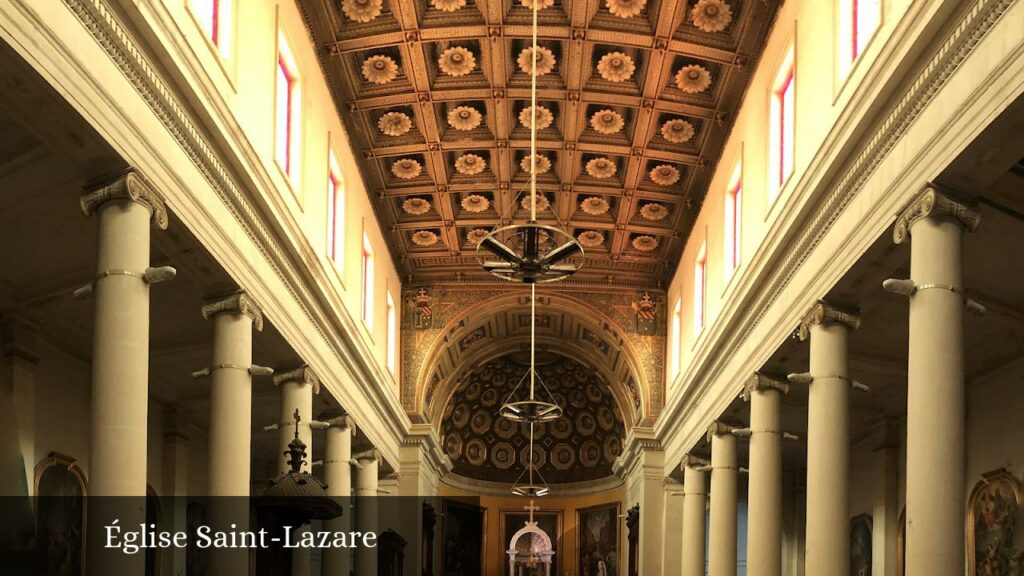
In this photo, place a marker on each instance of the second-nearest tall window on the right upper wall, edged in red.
(783, 127)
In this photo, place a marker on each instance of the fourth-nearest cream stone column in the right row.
(722, 553)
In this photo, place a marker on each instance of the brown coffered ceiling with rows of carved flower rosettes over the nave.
(635, 101)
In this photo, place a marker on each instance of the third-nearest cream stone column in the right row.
(764, 528)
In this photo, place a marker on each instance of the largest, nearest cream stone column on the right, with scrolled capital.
(935, 421)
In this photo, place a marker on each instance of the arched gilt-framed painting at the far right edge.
(992, 521)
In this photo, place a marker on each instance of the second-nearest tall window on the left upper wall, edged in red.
(287, 112)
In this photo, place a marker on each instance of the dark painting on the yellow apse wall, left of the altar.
(463, 529)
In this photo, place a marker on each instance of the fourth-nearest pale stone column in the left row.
(338, 476)
